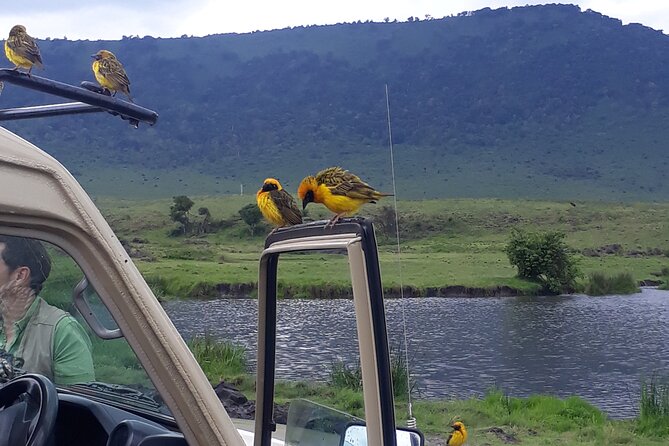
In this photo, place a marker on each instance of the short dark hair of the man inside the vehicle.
(27, 252)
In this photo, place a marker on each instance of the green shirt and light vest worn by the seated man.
(67, 360)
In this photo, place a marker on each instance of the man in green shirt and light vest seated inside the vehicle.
(41, 338)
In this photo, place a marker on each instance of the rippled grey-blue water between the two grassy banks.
(597, 348)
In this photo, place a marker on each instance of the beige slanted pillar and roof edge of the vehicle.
(39, 198)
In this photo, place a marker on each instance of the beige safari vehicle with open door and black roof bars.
(166, 399)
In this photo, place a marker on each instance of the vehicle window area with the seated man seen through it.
(43, 332)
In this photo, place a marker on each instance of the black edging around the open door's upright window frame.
(363, 228)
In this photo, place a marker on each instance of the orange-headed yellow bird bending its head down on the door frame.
(339, 190)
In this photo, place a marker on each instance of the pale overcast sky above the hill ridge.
(97, 19)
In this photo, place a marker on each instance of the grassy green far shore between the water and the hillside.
(448, 246)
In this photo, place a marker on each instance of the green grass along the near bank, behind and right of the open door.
(494, 419)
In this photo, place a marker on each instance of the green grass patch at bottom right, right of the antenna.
(535, 420)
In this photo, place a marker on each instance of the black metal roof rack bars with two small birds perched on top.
(90, 99)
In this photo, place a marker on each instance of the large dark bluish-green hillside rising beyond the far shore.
(538, 102)
